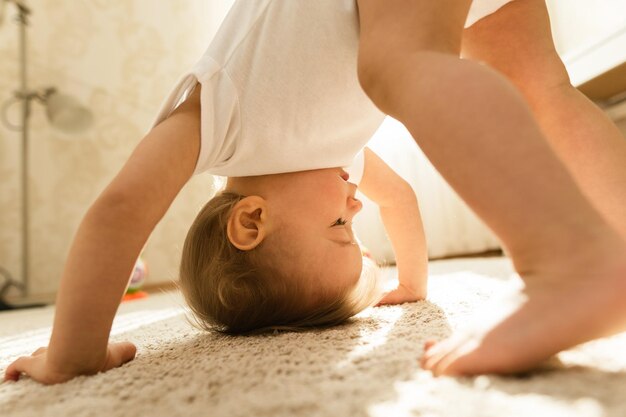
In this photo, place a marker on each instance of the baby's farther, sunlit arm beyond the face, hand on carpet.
(401, 217)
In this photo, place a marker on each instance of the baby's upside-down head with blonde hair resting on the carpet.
(277, 251)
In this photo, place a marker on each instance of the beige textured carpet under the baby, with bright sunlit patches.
(367, 367)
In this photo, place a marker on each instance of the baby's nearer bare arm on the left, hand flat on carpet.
(105, 248)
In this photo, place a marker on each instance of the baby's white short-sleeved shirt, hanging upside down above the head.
(280, 92)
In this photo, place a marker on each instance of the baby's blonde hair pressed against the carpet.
(237, 292)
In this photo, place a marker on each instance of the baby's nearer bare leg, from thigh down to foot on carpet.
(480, 133)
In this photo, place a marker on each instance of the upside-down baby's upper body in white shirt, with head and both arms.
(275, 105)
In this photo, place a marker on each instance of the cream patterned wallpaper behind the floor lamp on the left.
(120, 58)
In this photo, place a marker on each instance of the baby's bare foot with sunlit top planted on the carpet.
(551, 314)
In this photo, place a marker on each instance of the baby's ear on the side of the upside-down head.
(247, 226)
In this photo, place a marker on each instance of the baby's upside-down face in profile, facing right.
(315, 210)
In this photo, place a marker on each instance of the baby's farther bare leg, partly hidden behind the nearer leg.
(517, 41)
